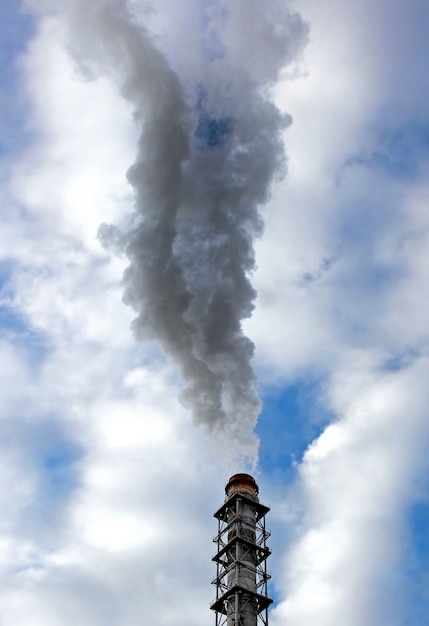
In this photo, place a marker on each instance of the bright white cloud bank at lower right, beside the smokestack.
(358, 479)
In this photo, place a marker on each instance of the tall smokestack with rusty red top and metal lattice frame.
(241, 557)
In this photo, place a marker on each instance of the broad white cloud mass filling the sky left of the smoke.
(108, 534)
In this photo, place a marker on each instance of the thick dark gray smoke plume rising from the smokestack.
(209, 148)
